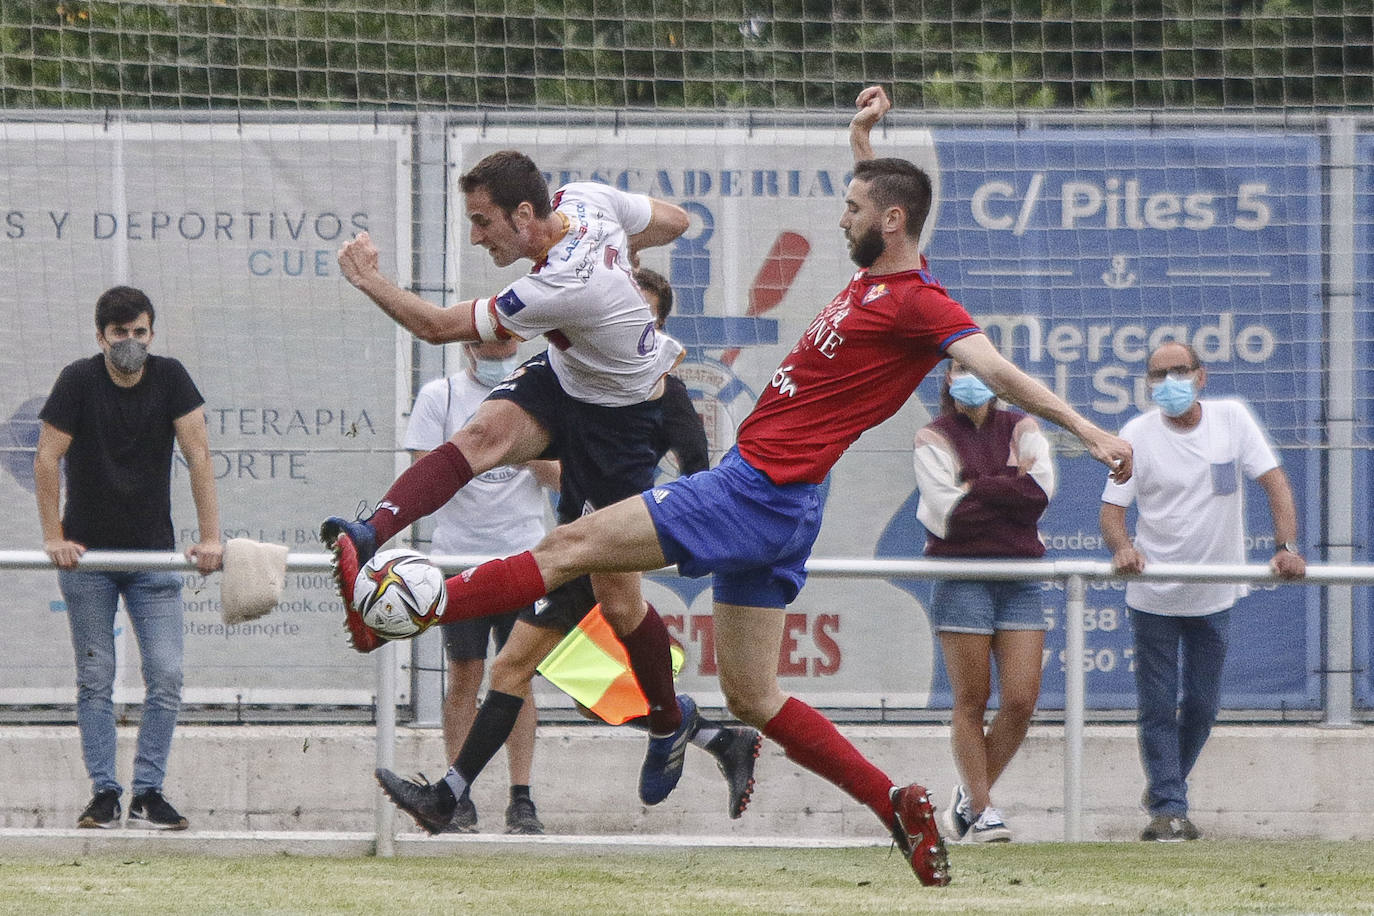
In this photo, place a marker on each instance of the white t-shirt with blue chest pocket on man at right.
(1191, 502)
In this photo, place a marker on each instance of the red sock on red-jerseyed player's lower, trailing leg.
(814, 742)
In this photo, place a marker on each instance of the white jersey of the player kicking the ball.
(604, 347)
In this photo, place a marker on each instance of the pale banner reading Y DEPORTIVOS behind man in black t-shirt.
(233, 231)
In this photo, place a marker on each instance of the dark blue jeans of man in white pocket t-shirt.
(1178, 689)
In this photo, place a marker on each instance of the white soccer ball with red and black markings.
(401, 594)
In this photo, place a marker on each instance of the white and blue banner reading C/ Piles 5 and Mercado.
(1077, 252)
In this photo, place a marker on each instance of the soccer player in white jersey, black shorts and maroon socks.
(590, 400)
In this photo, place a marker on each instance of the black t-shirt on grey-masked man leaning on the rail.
(119, 469)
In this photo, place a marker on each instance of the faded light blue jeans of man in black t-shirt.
(153, 602)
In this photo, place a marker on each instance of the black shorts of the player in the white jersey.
(608, 453)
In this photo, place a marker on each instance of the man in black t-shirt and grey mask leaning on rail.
(113, 418)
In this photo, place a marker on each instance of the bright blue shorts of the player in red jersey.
(734, 523)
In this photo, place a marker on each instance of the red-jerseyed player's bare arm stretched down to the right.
(1016, 387)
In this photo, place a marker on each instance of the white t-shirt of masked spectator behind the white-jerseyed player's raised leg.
(498, 513)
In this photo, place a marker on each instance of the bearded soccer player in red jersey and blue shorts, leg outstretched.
(752, 520)
